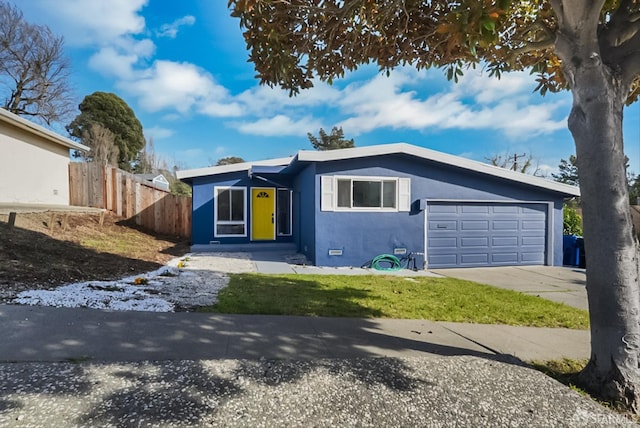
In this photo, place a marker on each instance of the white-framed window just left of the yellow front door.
(230, 211)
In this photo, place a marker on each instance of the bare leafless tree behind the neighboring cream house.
(34, 73)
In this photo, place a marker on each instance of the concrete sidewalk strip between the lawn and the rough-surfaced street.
(33, 333)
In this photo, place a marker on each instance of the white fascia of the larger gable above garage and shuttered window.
(444, 158)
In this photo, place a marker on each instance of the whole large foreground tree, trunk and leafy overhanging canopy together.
(590, 47)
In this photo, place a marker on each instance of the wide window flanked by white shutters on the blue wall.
(353, 193)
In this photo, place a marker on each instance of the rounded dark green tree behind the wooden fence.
(113, 113)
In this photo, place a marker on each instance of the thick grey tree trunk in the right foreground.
(610, 244)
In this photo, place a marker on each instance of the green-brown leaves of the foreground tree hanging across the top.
(291, 42)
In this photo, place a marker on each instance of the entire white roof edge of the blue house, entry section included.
(306, 156)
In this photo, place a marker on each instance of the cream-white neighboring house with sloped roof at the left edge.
(34, 162)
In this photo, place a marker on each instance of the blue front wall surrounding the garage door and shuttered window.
(363, 235)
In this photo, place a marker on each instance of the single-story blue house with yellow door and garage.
(345, 207)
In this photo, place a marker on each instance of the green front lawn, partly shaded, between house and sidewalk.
(438, 299)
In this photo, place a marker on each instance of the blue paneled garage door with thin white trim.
(485, 234)
